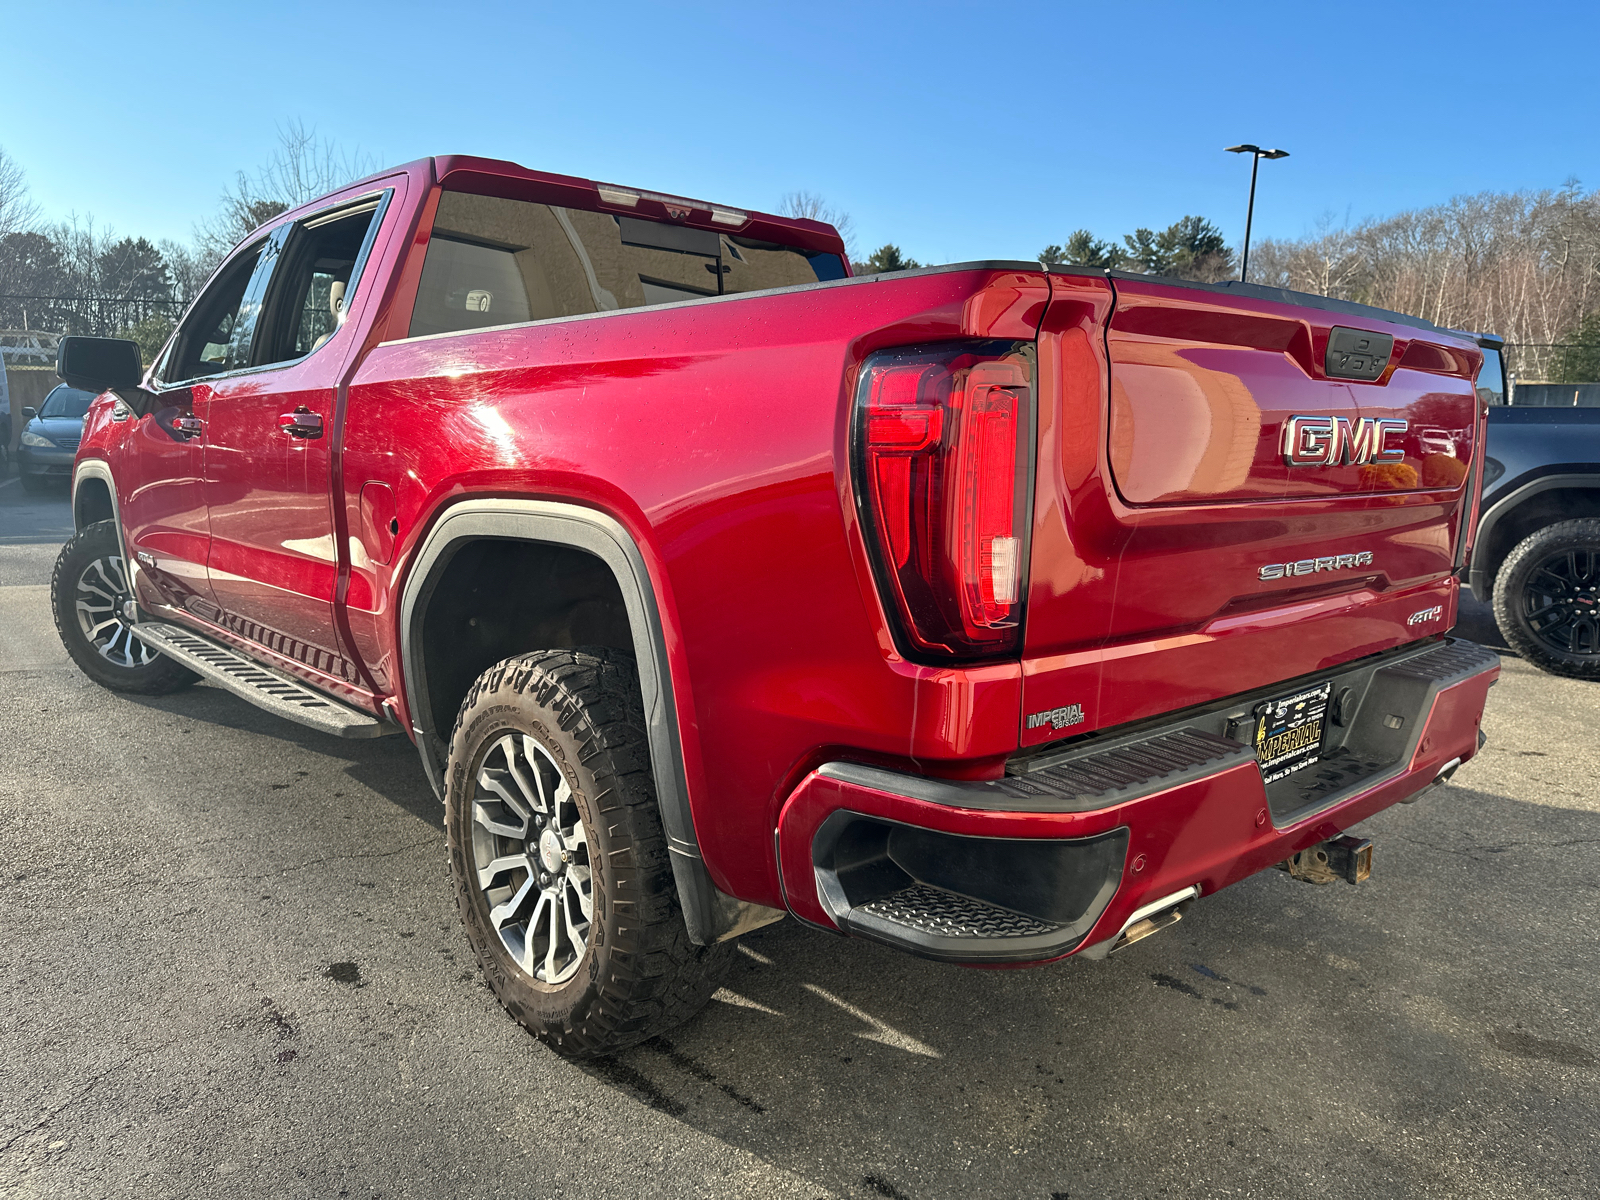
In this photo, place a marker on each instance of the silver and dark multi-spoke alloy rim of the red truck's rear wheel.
(532, 858)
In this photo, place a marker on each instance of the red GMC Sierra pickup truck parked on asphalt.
(988, 612)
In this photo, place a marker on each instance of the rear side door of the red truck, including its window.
(268, 444)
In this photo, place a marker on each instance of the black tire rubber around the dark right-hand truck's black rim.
(1518, 582)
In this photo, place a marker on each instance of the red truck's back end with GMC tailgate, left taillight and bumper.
(1220, 532)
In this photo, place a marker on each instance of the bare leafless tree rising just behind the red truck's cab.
(302, 169)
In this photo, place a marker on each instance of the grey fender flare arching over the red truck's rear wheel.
(708, 913)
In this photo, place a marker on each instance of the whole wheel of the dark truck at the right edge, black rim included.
(1548, 599)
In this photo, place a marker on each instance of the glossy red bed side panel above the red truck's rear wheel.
(716, 434)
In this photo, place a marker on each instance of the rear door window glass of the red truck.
(313, 286)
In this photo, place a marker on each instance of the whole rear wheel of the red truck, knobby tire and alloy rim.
(559, 858)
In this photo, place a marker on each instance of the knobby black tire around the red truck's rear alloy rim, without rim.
(641, 975)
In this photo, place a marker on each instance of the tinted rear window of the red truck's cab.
(495, 262)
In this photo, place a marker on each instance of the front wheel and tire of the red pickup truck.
(90, 598)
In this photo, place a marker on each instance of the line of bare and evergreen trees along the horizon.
(1521, 265)
